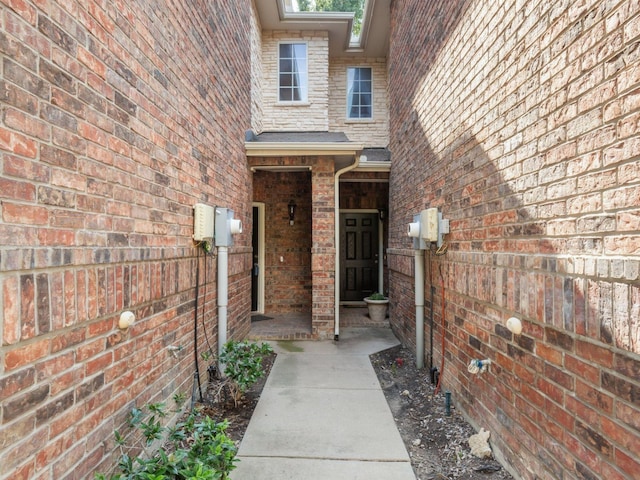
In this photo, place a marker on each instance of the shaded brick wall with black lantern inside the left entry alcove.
(287, 281)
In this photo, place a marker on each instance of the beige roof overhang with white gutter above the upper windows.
(274, 15)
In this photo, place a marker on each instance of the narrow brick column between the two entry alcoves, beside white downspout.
(323, 248)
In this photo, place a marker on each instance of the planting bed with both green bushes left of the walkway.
(198, 446)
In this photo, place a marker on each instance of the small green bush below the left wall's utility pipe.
(243, 365)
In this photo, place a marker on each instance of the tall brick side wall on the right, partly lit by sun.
(520, 121)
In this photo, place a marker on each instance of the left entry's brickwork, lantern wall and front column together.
(307, 247)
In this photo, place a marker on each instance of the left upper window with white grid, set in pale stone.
(293, 76)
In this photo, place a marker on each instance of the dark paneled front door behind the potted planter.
(358, 255)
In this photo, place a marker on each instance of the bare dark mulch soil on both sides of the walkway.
(437, 443)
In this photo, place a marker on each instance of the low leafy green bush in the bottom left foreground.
(208, 455)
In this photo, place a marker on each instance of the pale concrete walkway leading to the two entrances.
(322, 415)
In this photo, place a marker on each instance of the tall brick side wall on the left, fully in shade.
(116, 119)
